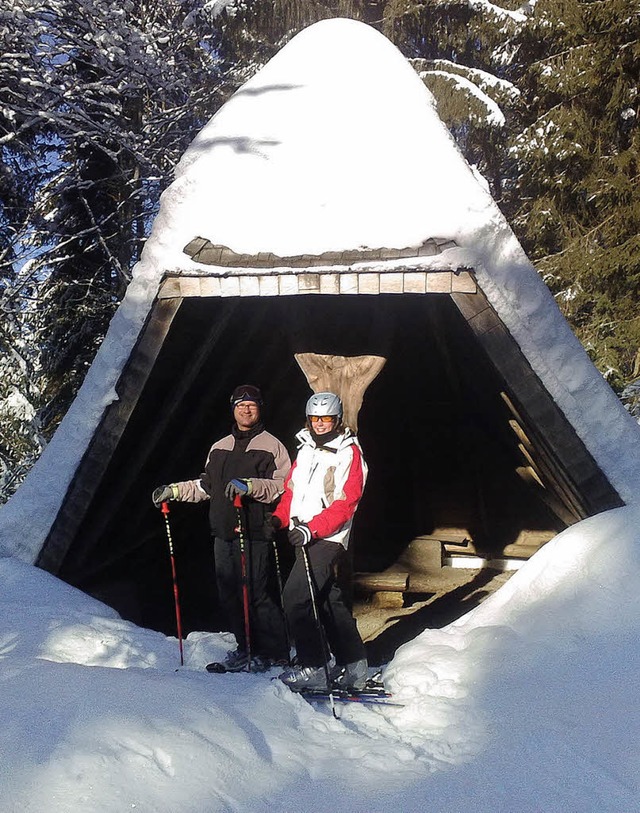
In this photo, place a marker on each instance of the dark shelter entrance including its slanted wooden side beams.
(463, 443)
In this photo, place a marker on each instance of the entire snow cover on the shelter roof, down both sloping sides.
(335, 144)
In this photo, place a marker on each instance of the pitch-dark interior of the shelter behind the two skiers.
(433, 427)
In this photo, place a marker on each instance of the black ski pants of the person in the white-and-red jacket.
(337, 621)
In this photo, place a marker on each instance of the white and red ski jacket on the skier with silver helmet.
(324, 486)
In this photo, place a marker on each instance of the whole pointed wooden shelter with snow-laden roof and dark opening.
(471, 430)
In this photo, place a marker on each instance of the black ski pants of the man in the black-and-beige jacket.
(267, 630)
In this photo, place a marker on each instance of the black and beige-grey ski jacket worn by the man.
(254, 455)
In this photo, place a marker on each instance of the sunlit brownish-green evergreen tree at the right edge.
(575, 200)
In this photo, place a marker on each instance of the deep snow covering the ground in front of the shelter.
(528, 704)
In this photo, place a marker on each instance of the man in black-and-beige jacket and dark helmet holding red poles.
(252, 463)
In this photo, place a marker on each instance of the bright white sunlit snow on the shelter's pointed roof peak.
(334, 145)
